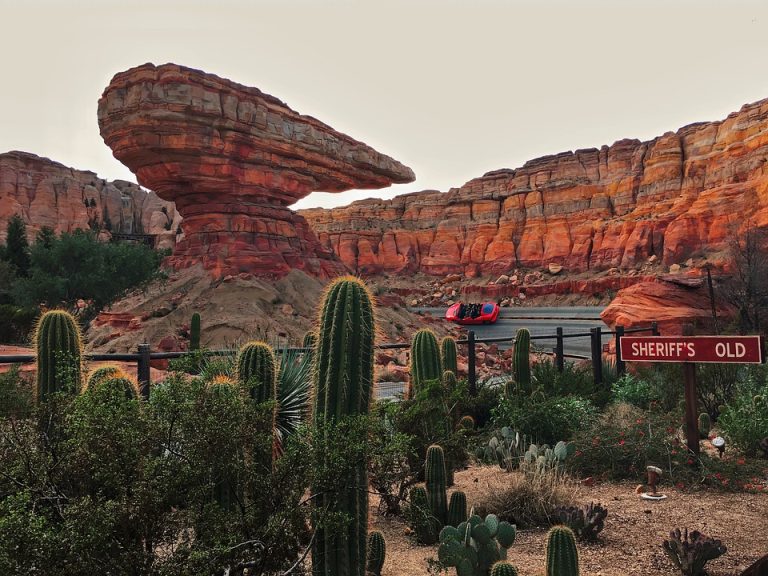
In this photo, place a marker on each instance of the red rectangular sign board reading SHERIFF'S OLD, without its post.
(707, 349)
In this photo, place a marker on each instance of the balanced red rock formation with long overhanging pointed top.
(232, 159)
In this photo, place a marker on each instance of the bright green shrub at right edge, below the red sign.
(745, 418)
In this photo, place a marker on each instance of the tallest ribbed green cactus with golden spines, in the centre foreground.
(343, 386)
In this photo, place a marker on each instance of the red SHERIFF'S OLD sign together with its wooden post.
(690, 350)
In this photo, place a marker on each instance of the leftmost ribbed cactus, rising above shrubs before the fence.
(59, 349)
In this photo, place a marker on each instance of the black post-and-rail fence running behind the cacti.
(144, 356)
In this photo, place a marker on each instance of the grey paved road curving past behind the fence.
(540, 321)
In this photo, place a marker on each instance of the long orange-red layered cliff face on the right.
(677, 195)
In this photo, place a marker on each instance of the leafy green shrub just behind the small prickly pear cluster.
(547, 420)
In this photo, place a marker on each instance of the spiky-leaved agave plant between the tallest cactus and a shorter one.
(293, 384)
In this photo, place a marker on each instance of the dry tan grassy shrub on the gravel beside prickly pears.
(528, 498)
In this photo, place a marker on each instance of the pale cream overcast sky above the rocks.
(451, 88)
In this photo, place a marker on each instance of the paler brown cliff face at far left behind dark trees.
(46, 193)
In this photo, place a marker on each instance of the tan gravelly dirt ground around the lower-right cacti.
(630, 544)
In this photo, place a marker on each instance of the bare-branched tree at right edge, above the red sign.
(746, 288)
